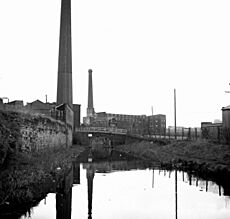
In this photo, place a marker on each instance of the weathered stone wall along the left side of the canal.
(32, 132)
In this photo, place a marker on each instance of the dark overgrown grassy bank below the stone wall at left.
(26, 178)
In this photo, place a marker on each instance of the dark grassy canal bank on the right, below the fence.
(201, 157)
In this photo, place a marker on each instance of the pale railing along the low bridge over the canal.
(102, 130)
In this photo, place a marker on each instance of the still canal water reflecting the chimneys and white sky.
(132, 190)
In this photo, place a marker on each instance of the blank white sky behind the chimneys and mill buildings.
(139, 51)
